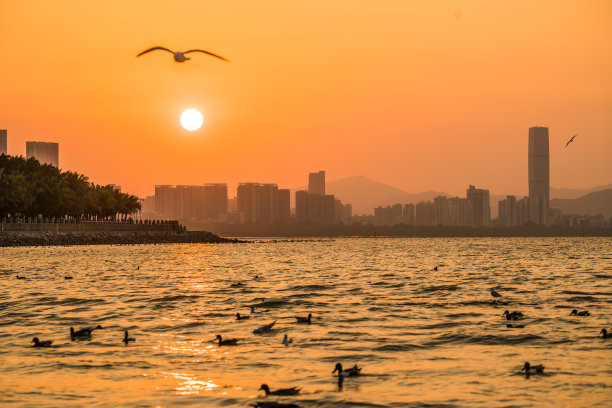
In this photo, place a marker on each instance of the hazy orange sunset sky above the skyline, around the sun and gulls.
(418, 94)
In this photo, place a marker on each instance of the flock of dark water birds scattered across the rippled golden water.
(528, 368)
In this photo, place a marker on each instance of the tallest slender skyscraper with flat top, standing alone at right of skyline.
(539, 174)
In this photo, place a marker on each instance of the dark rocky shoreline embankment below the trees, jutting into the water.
(12, 239)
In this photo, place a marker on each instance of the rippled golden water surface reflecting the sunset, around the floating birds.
(424, 338)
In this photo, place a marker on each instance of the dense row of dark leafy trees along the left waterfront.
(31, 189)
